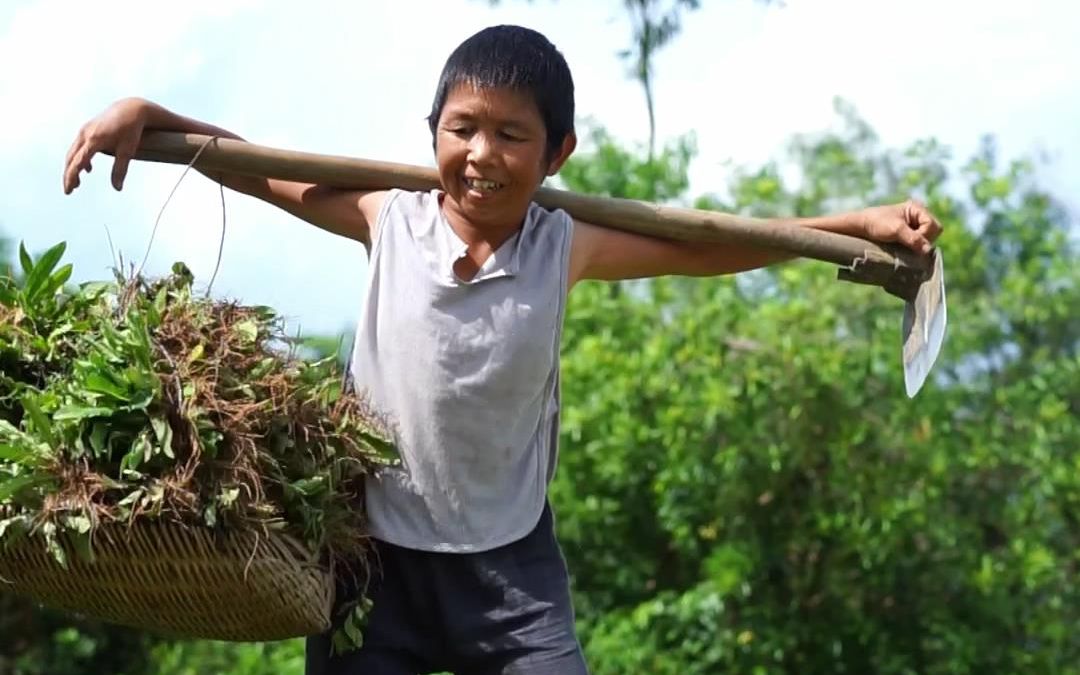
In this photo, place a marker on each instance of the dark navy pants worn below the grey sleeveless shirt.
(501, 612)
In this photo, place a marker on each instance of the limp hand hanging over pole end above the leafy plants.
(116, 131)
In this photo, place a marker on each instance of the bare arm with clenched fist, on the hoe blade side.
(609, 254)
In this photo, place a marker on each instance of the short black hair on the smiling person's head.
(518, 59)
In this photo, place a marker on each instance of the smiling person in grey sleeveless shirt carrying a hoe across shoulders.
(458, 342)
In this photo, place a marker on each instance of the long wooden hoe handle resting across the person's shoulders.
(656, 221)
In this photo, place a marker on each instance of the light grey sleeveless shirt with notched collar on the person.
(466, 372)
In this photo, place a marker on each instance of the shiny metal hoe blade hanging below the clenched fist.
(924, 328)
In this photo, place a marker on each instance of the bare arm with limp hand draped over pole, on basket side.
(119, 129)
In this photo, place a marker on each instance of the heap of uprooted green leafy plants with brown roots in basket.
(131, 400)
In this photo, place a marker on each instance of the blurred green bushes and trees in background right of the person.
(744, 485)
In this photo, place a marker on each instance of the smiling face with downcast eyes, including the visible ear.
(491, 147)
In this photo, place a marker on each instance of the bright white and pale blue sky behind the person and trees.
(353, 77)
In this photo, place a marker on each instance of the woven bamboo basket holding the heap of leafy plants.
(184, 583)
